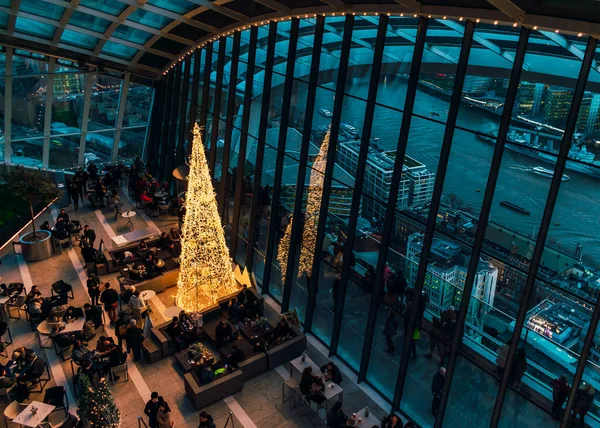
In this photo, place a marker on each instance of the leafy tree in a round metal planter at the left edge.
(32, 187)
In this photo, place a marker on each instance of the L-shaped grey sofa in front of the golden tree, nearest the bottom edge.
(202, 395)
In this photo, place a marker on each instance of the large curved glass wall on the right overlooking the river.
(456, 231)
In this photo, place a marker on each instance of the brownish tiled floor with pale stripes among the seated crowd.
(259, 404)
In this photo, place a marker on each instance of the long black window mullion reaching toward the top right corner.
(545, 224)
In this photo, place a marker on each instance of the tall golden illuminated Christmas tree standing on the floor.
(205, 267)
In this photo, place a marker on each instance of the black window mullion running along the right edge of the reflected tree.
(338, 105)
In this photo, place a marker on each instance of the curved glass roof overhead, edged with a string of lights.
(146, 36)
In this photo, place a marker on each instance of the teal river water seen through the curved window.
(575, 218)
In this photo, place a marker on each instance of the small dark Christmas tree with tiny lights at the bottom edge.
(97, 407)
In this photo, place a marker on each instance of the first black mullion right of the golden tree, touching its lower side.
(239, 183)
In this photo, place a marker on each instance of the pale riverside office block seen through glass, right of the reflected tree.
(416, 184)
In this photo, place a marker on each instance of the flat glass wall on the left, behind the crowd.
(52, 110)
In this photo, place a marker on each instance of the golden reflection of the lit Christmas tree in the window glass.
(313, 205)
